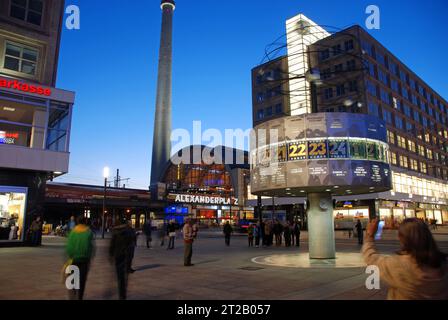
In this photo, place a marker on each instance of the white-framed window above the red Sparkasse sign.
(20, 58)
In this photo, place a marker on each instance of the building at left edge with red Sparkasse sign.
(35, 116)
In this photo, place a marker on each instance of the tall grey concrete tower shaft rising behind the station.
(161, 150)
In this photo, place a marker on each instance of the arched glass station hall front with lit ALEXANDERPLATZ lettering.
(208, 184)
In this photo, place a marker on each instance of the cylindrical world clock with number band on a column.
(320, 155)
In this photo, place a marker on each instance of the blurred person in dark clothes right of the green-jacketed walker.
(119, 254)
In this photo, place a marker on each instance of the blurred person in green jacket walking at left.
(80, 250)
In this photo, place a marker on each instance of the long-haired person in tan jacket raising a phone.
(419, 271)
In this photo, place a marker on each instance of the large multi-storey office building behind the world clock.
(359, 75)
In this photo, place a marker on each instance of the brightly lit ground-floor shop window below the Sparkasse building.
(12, 213)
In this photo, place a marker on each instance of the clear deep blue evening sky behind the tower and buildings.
(111, 64)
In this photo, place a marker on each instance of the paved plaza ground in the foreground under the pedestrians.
(223, 273)
